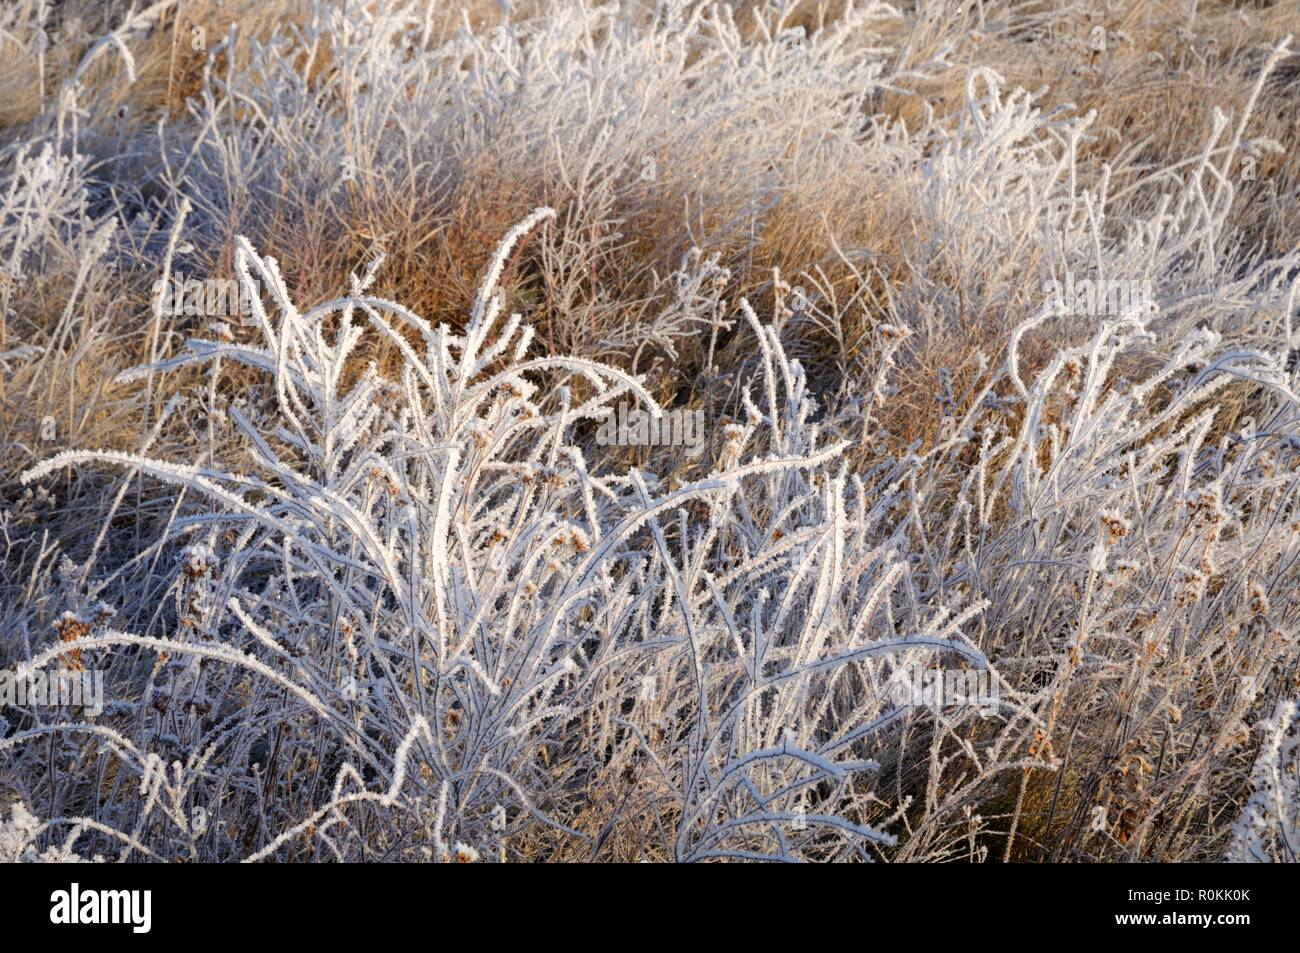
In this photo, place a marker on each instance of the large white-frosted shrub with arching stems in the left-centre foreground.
(423, 573)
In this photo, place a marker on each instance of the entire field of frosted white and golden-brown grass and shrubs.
(362, 581)
